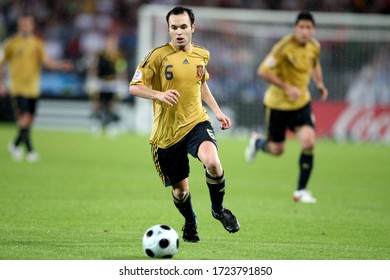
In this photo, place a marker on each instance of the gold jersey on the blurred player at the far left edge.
(24, 57)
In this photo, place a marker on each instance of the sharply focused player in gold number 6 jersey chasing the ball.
(174, 76)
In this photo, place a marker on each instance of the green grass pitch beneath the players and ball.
(93, 199)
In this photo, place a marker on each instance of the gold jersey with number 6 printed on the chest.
(165, 68)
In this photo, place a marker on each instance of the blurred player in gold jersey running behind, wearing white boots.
(288, 68)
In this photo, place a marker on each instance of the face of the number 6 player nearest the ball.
(180, 30)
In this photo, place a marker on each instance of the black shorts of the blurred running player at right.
(278, 121)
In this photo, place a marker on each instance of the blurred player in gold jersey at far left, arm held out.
(24, 53)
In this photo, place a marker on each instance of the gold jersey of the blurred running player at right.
(293, 63)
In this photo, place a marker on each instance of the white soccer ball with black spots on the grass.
(160, 241)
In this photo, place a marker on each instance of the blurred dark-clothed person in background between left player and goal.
(106, 85)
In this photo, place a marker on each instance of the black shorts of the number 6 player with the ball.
(172, 164)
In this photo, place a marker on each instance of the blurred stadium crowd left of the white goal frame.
(75, 29)
